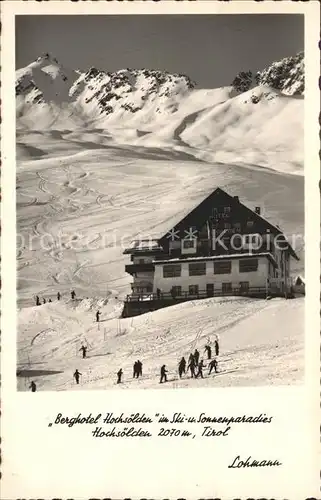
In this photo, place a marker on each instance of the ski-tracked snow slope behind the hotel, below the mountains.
(76, 212)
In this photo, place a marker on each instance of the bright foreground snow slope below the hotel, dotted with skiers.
(261, 343)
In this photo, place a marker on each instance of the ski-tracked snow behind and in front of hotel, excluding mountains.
(89, 205)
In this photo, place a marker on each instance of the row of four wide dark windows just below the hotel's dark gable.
(220, 267)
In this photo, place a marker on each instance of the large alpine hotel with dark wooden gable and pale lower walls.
(220, 248)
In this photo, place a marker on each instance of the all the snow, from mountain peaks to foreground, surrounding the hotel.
(91, 179)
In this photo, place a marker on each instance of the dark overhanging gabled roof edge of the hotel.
(198, 216)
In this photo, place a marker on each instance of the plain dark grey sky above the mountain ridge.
(210, 49)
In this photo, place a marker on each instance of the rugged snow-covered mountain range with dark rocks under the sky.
(245, 122)
